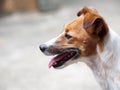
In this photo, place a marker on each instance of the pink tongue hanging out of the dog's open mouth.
(57, 58)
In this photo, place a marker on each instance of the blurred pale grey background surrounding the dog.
(25, 24)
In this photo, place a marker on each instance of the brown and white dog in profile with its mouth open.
(88, 39)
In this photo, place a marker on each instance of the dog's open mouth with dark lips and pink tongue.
(63, 57)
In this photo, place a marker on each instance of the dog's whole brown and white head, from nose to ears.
(78, 39)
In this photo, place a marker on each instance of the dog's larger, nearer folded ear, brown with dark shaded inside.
(96, 26)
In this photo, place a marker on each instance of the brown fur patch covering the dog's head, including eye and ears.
(85, 32)
